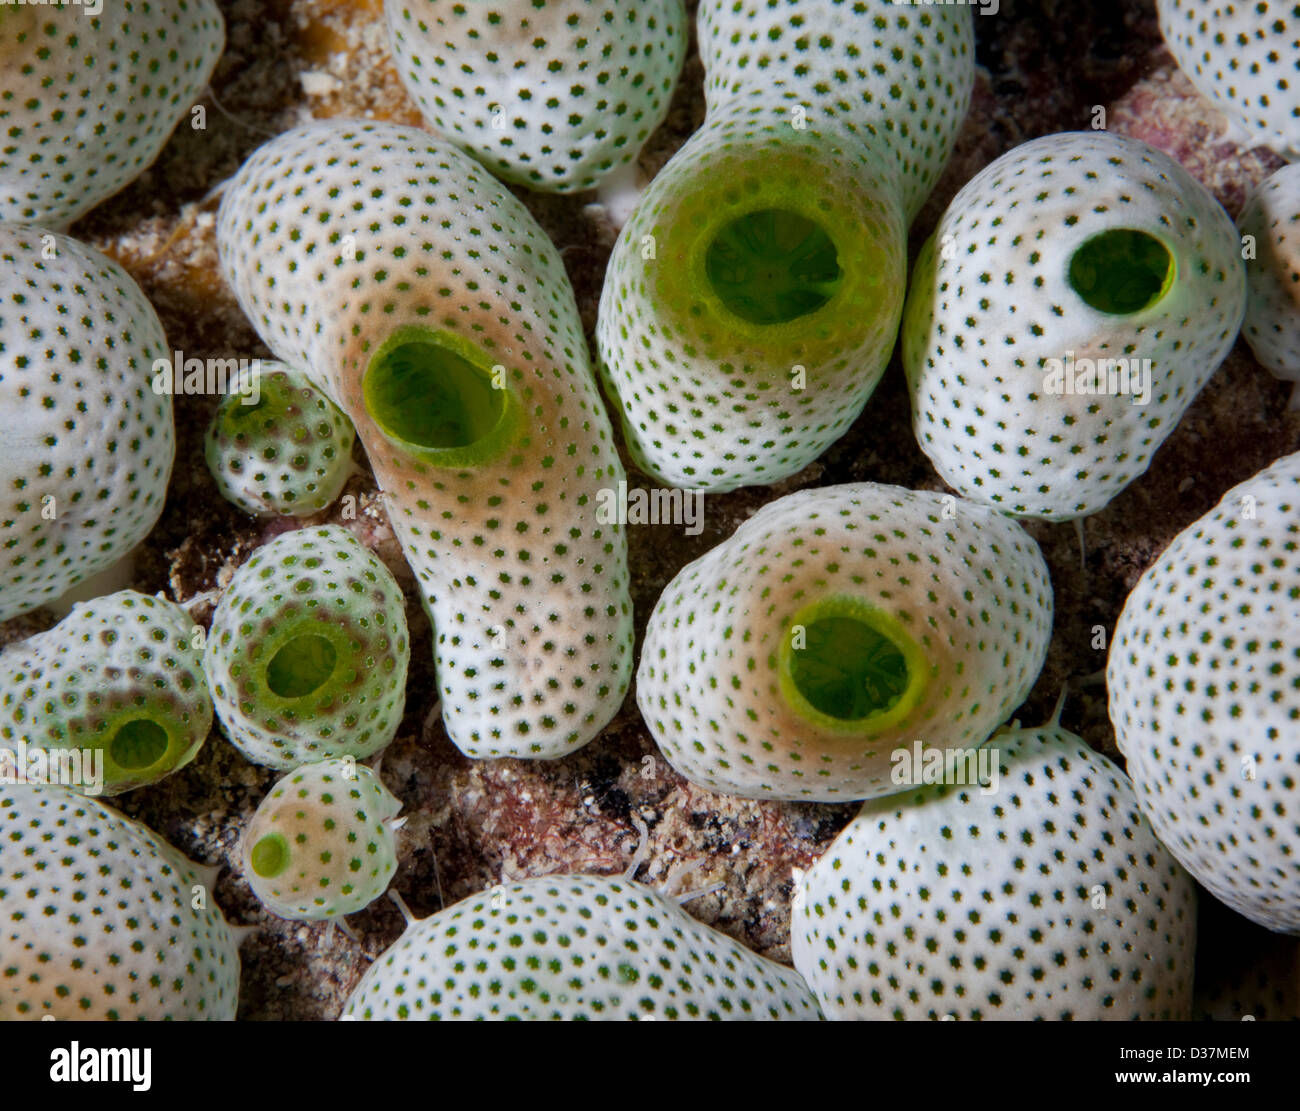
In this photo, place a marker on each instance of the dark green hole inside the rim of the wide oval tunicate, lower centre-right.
(848, 670)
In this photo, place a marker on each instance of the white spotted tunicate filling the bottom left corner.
(102, 919)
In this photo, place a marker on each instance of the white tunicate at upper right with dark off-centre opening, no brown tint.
(1016, 394)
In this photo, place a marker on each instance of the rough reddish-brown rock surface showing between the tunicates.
(1043, 68)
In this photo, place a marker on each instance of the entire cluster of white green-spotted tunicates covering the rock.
(844, 644)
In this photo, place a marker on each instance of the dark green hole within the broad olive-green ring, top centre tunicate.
(773, 266)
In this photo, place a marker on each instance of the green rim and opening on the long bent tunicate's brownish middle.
(440, 397)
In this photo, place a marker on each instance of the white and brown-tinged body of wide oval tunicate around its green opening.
(967, 587)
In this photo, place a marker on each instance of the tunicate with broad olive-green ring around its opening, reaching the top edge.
(753, 298)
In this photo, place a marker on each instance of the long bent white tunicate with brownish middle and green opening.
(448, 332)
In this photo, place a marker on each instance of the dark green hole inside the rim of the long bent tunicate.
(431, 397)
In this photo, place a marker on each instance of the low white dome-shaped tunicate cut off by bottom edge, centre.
(567, 948)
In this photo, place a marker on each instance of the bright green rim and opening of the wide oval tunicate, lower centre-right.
(851, 667)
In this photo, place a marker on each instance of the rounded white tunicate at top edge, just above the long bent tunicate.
(551, 94)
